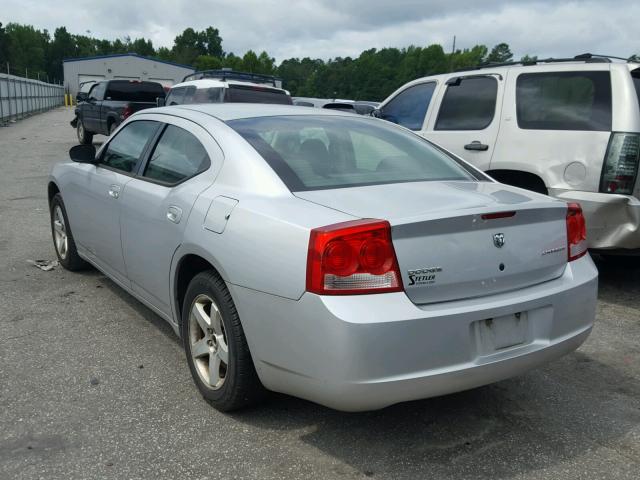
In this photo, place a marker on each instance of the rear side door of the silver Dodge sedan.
(157, 203)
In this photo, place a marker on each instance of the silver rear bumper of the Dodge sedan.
(357, 353)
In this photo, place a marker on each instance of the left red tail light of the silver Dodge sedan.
(354, 257)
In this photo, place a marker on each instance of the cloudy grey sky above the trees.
(330, 28)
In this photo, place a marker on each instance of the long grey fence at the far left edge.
(20, 97)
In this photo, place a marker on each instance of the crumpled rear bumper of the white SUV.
(613, 221)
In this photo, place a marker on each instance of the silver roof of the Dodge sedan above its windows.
(235, 111)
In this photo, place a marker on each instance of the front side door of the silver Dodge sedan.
(97, 199)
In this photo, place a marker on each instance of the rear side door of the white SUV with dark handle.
(468, 117)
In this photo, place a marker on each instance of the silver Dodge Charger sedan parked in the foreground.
(333, 257)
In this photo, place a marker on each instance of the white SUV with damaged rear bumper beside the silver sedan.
(569, 128)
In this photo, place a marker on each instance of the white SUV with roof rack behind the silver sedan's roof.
(227, 86)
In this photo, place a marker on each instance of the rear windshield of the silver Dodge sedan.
(311, 152)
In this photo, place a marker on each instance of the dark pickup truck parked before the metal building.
(110, 102)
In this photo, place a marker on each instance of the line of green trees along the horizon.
(371, 76)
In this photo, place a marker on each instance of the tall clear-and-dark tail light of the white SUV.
(620, 168)
